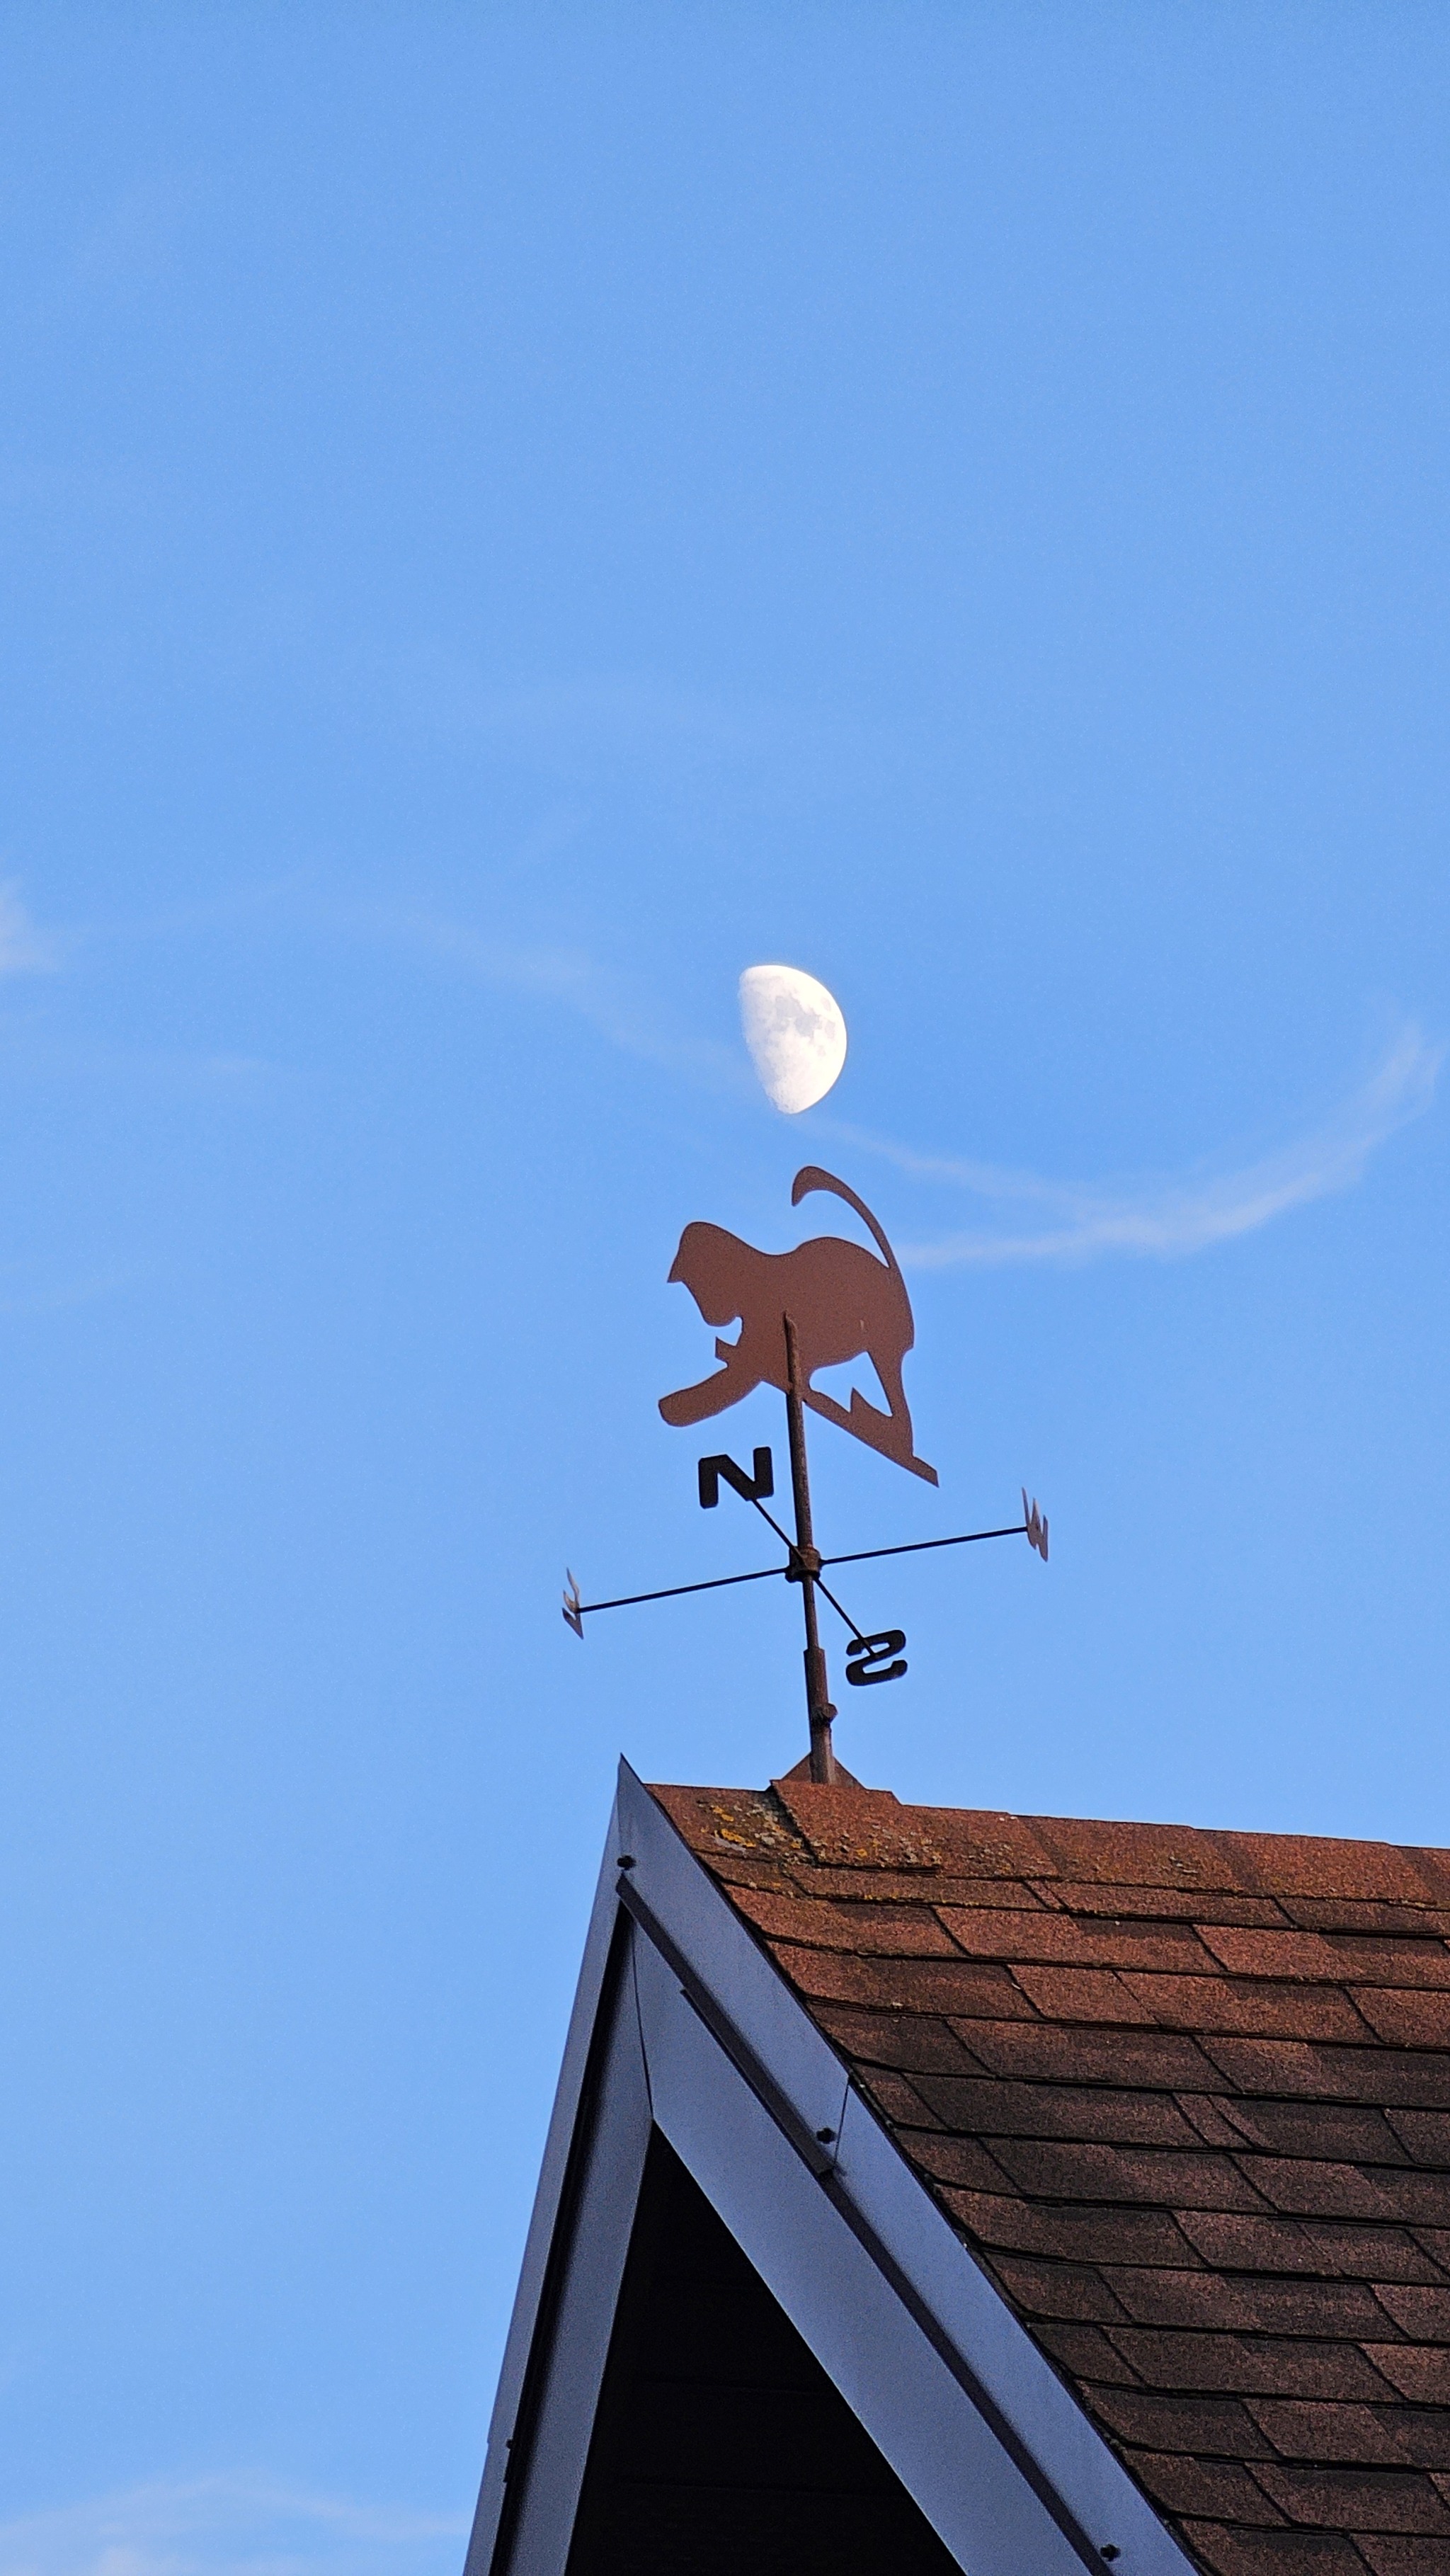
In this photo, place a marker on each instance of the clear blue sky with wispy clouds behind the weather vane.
(511, 516)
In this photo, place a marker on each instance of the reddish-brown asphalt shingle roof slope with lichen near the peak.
(1186, 2098)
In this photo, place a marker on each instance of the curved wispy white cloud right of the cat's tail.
(1168, 1220)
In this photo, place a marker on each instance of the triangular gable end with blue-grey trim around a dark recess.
(648, 2402)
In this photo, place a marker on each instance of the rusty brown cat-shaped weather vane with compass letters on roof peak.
(818, 1307)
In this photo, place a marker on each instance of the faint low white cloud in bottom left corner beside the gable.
(241, 2526)
